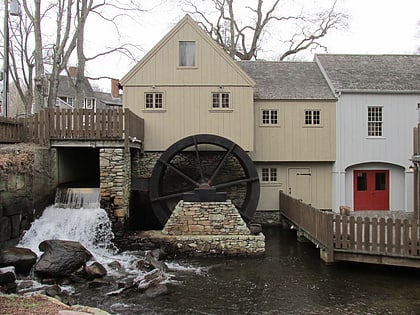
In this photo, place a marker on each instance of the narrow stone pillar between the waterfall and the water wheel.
(115, 179)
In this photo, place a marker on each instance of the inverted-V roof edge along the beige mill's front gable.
(185, 20)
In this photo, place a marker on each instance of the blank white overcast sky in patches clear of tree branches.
(375, 27)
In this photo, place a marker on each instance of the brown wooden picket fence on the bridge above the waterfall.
(73, 124)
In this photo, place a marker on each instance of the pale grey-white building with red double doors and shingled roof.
(376, 111)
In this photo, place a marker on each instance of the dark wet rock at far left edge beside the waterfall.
(21, 258)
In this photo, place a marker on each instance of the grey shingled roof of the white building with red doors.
(374, 73)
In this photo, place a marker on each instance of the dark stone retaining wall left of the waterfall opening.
(28, 178)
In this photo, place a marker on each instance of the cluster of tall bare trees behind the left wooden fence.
(42, 49)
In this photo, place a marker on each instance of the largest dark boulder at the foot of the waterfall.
(61, 258)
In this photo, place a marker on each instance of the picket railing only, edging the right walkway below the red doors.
(365, 235)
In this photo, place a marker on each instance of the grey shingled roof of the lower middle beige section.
(285, 80)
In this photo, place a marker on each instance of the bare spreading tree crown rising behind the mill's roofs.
(243, 40)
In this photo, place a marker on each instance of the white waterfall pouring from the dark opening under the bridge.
(75, 216)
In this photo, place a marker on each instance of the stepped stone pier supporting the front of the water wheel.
(207, 229)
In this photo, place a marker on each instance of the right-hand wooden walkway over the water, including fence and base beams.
(387, 239)
